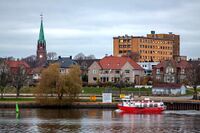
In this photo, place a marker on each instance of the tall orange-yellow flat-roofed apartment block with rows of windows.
(153, 47)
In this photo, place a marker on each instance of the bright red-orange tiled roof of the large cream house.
(114, 62)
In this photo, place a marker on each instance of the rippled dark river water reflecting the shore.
(97, 121)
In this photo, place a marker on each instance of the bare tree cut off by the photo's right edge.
(193, 76)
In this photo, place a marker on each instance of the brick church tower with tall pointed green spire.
(41, 46)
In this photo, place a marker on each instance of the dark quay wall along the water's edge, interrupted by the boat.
(171, 105)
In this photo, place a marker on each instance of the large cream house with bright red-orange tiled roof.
(115, 69)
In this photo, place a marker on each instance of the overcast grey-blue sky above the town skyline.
(73, 26)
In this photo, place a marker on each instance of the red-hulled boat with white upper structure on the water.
(146, 106)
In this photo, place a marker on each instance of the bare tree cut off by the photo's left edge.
(5, 76)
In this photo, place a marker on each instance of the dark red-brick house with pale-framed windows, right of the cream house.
(170, 71)
